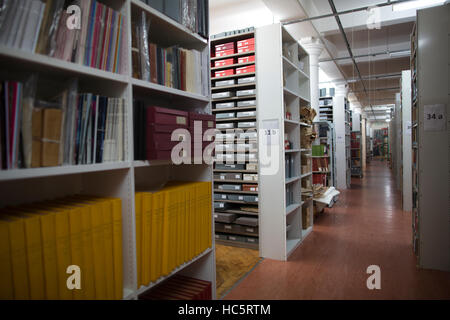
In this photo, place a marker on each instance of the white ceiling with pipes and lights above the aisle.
(391, 33)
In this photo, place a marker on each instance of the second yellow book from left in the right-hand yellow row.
(146, 236)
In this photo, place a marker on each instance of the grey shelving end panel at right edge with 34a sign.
(430, 137)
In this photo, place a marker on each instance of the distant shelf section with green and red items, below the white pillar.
(323, 158)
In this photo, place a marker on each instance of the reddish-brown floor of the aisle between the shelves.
(366, 227)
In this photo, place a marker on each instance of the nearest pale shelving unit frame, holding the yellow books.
(115, 179)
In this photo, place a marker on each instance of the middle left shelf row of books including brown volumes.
(71, 129)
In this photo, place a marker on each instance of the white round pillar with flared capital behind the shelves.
(314, 48)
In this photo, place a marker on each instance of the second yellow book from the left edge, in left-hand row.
(17, 247)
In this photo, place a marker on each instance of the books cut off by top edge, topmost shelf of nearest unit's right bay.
(193, 14)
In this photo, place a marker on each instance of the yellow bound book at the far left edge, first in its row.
(6, 275)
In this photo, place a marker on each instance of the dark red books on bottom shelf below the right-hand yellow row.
(180, 288)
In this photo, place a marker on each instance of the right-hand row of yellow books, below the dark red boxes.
(173, 226)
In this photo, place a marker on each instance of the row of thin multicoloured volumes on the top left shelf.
(41, 27)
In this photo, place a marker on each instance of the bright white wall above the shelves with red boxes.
(229, 15)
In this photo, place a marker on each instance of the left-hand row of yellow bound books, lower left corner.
(40, 241)
